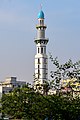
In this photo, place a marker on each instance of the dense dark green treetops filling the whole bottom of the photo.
(24, 103)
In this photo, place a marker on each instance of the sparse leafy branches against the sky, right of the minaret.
(66, 71)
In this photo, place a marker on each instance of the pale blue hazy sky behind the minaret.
(18, 19)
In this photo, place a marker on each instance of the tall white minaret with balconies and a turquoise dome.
(41, 59)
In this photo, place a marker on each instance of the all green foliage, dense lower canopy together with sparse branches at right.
(27, 104)
